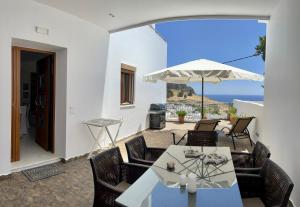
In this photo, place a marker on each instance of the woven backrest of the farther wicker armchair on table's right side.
(260, 154)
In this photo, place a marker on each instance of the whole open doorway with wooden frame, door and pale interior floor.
(33, 87)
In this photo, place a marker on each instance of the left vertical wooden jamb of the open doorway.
(15, 104)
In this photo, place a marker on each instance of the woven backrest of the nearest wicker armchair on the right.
(277, 185)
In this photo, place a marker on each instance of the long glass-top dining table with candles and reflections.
(159, 186)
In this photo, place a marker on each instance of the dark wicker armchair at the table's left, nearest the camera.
(112, 176)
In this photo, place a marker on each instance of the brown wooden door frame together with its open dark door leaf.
(47, 69)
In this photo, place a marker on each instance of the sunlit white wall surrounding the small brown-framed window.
(145, 50)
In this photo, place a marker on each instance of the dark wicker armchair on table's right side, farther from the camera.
(242, 161)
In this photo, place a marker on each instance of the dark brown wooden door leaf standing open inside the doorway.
(43, 102)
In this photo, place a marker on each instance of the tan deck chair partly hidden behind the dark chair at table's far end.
(204, 125)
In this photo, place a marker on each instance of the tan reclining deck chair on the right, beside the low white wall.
(239, 130)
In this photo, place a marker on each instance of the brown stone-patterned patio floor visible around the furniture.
(75, 186)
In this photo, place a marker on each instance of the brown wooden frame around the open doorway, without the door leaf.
(15, 101)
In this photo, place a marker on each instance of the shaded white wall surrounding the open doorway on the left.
(82, 66)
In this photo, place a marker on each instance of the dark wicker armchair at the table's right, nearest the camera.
(272, 187)
